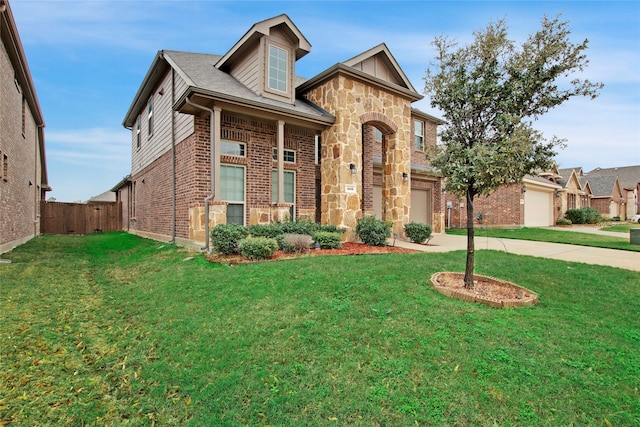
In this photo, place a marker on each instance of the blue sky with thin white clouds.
(88, 58)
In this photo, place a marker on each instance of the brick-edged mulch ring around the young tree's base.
(487, 290)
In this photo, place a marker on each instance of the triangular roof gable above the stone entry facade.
(379, 62)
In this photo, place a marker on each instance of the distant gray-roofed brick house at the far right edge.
(629, 181)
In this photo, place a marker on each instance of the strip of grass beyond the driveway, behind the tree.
(553, 236)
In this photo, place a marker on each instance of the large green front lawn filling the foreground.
(113, 329)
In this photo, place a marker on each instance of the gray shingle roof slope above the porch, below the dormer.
(199, 70)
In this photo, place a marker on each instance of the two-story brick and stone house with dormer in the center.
(239, 138)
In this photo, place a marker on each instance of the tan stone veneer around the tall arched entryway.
(355, 104)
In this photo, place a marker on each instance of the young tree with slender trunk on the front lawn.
(490, 92)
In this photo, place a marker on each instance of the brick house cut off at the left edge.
(23, 171)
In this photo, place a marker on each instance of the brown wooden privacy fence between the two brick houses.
(80, 218)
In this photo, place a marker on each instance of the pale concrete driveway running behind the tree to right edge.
(611, 257)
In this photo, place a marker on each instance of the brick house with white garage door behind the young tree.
(531, 203)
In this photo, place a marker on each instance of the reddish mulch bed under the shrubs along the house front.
(347, 248)
